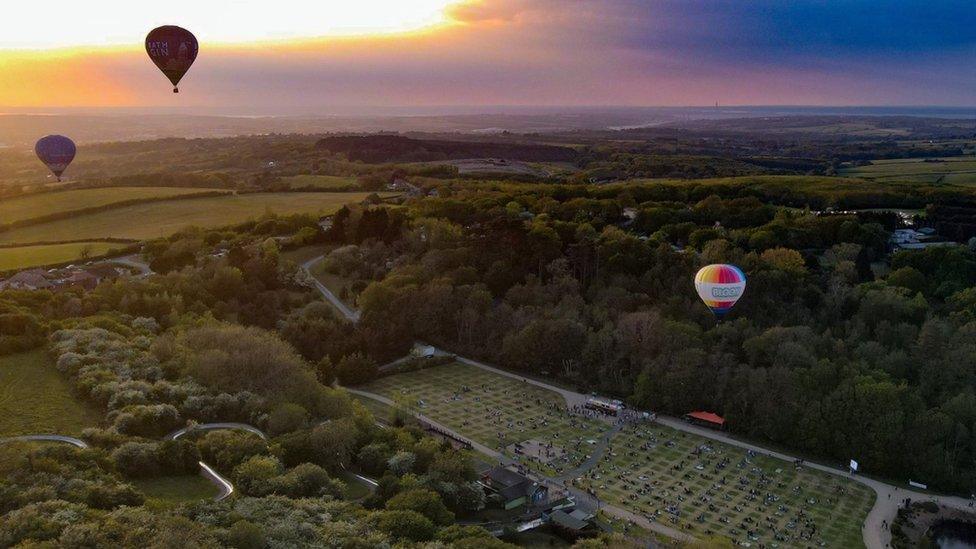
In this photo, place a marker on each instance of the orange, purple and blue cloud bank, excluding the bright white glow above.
(571, 52)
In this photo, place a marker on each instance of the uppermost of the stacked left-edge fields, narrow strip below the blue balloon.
(39, 205)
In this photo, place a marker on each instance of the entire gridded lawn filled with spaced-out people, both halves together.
(685, 481)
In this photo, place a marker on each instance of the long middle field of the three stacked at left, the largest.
(156, 219)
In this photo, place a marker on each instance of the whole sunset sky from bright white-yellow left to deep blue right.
(325, 55)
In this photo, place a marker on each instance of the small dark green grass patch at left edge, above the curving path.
(35, 398)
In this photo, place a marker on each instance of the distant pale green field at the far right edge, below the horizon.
(957, 170)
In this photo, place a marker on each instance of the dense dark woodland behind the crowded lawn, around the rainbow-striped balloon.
(838, 349)
